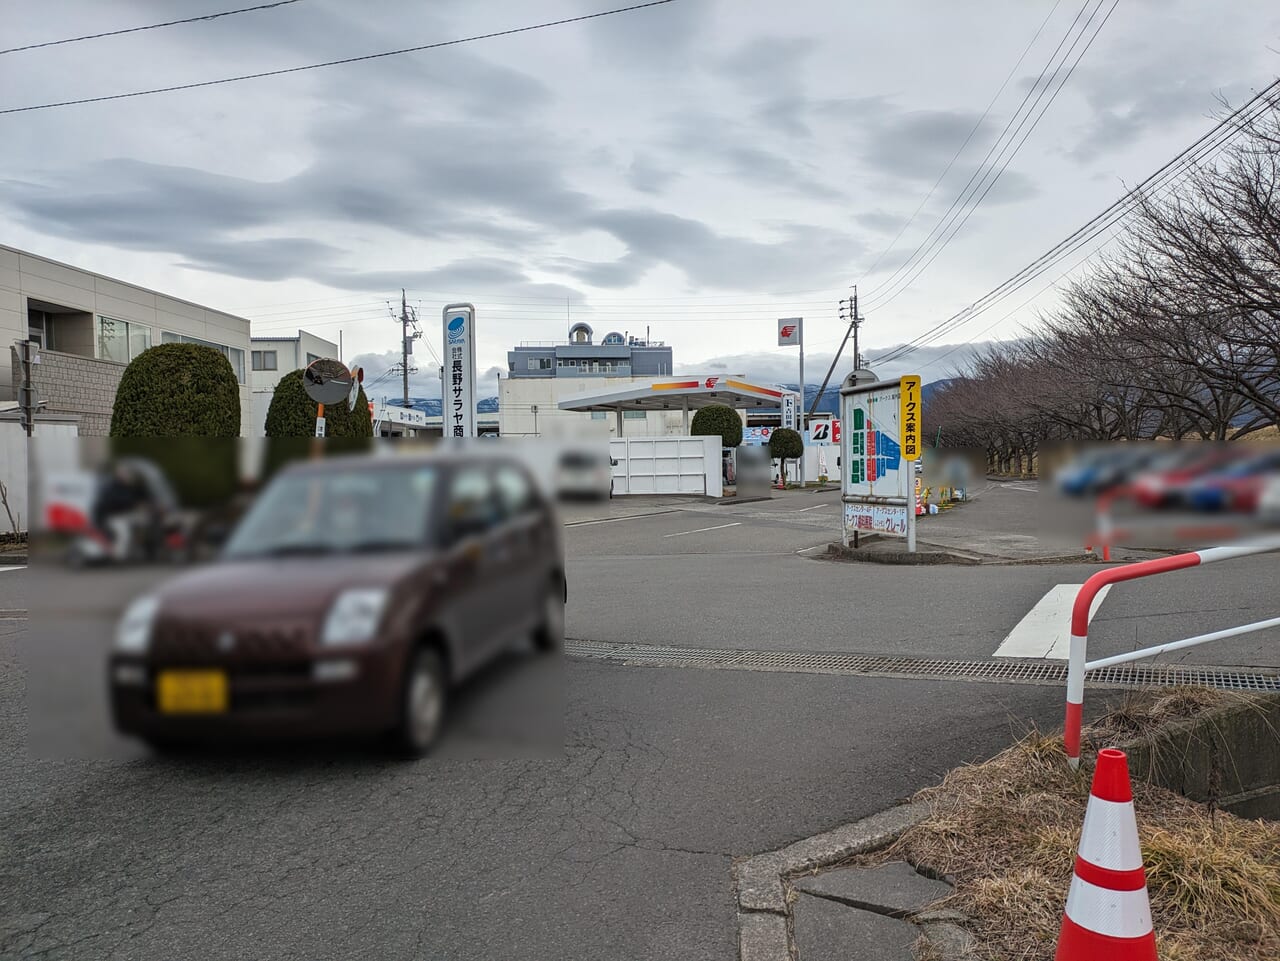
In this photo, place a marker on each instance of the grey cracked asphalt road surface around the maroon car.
(620, 849)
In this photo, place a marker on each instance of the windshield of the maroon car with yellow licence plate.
(348, 511)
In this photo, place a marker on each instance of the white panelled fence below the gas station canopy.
(668, 466)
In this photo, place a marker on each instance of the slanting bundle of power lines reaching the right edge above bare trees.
(1204, 149)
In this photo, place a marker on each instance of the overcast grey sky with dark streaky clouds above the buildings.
(697, 170)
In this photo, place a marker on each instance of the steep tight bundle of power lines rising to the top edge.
(938, 242)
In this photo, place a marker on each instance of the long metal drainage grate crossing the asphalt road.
(1028, 672)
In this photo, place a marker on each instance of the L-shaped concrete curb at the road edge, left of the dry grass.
(764, 912)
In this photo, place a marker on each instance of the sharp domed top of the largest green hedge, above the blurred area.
(172, 391)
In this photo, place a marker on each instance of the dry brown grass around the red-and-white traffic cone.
(1008, 832)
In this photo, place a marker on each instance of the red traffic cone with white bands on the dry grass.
(1108, 914)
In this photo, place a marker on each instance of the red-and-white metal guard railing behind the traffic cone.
(1078, 666)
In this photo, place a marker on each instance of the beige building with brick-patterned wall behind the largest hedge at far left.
(89, 327)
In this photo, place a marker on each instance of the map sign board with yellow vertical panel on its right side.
(877, 478)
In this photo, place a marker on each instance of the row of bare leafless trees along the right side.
(1176, 335)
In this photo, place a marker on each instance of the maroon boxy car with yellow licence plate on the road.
(350, 600)
